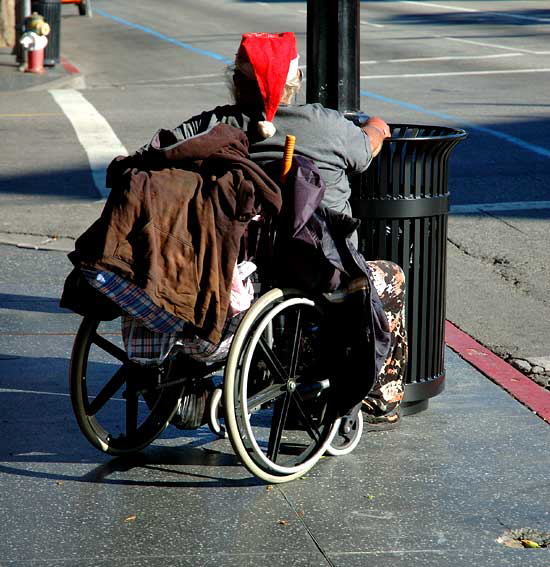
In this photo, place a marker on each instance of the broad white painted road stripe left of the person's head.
(93, 132)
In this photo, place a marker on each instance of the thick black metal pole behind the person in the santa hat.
(333, 53)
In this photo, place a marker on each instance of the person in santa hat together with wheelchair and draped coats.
(191, 216)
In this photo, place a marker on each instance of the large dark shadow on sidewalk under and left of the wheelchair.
(37, 427)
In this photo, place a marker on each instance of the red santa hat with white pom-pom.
(271, 59)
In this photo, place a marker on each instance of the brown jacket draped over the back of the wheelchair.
(173, 223)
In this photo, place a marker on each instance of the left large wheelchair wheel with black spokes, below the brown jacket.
(108, 391)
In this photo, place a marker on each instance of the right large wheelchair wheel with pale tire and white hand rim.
(277, 397)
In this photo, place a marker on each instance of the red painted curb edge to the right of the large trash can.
(523, 389)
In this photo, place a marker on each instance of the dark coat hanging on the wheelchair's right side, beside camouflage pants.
(314, 252)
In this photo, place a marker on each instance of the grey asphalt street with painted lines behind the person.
(482, 66)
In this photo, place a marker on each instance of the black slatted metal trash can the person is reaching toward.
(403, 202)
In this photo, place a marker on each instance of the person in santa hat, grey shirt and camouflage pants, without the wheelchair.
(265, 80)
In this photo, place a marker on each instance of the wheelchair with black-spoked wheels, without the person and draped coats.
(276, 398)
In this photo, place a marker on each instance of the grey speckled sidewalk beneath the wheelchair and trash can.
(440, 490)
